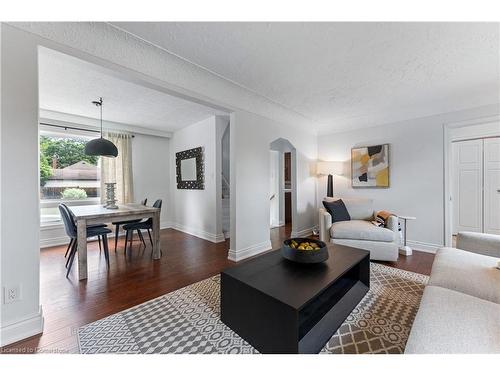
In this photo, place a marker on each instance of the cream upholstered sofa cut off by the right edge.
(460, 307)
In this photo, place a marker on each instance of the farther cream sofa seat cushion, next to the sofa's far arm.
(467, 272)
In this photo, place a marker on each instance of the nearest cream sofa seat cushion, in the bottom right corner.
(453, 322)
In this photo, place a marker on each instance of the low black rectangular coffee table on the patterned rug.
(282, 307)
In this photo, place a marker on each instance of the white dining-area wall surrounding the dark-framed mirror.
(196, 211)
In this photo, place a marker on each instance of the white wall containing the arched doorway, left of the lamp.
(251, 136)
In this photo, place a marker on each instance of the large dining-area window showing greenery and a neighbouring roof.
(66, 174)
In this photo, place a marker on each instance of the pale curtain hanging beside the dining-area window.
(118, 169)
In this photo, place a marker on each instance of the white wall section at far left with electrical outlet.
(19, 234)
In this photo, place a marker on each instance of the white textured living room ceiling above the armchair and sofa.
(345, 75)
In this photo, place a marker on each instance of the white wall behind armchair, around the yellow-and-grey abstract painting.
(416, 170)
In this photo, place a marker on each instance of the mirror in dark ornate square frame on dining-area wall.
(190, 169)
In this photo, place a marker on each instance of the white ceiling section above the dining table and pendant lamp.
(69, 85)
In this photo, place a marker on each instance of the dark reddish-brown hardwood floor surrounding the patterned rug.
(132, 279)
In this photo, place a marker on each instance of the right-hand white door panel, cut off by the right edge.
(492, 185)
